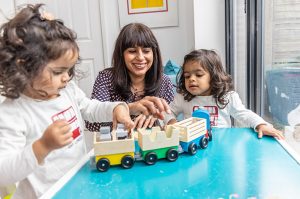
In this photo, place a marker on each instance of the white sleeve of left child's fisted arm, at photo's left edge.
(17, 160)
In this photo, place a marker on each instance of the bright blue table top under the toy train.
(234, 165)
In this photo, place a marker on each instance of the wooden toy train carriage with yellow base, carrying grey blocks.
(115, 148)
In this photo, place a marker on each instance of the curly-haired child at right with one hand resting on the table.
(203, 83)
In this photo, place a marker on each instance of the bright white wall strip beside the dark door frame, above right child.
(209, 17)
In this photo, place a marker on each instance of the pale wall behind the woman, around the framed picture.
(174, 42)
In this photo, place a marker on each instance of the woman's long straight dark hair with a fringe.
(133, 35)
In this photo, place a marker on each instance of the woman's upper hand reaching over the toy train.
(150, 105)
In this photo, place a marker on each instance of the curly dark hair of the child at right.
(220, 81)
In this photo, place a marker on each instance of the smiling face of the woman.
(138, 60)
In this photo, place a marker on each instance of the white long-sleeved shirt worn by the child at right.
(219, 117)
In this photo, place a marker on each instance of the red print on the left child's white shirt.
(70, 116)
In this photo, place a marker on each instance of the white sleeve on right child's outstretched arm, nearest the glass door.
(243, 115)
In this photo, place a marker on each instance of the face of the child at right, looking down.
(196, 79)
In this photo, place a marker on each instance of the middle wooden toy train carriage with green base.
(157, 144)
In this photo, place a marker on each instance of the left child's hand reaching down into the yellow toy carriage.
(121, 115)
